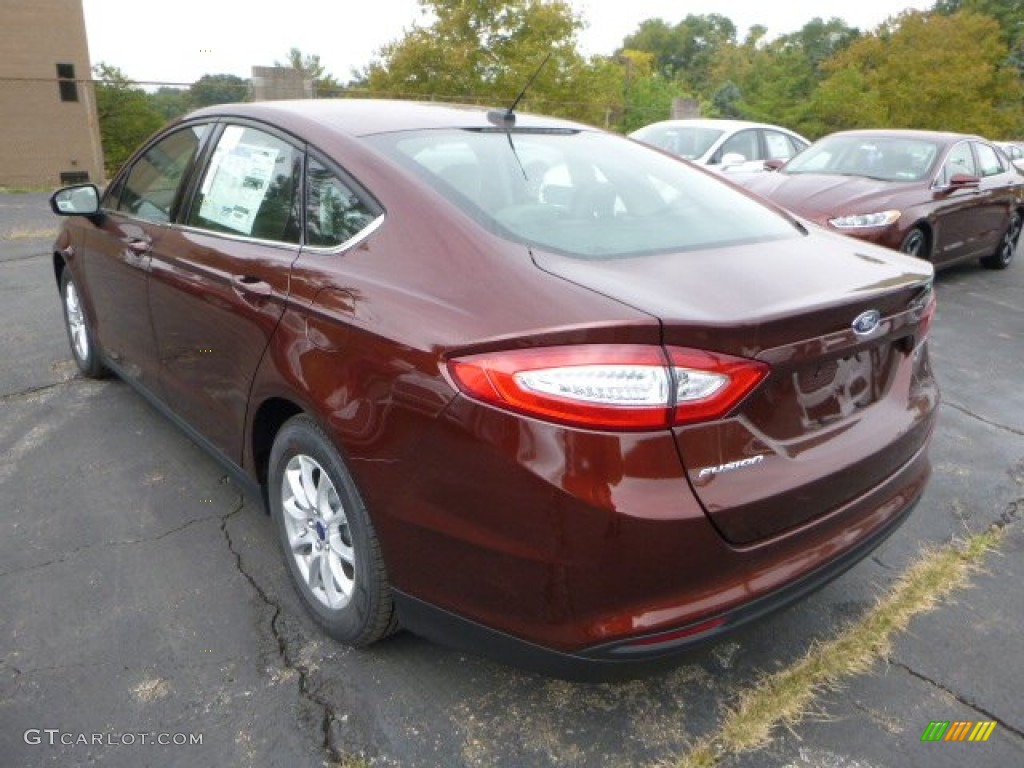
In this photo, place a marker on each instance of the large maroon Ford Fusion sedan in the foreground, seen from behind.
(510, 382)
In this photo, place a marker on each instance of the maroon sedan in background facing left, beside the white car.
(943, 197)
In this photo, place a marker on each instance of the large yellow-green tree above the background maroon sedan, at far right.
(926, 70)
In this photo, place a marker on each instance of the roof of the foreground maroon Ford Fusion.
(362, 117)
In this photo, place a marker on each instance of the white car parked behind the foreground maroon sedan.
(726, 146)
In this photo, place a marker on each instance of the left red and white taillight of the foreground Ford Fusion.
(604, 387)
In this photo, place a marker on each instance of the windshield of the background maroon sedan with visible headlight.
(883, 158)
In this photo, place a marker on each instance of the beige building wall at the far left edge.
(42, 137)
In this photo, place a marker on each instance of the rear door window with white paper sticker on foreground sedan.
(251, 188)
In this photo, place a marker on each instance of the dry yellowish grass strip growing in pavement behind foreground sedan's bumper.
(782, 699)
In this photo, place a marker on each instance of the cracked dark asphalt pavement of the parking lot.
(142, 593)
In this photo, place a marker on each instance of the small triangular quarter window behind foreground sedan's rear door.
(334, 214)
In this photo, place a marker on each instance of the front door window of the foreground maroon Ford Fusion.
(152, 186)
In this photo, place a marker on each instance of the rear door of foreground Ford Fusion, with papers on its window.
(221, 280)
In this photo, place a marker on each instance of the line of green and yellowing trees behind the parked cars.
(959, 66)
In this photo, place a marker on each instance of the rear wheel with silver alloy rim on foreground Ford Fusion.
(329, 543)
